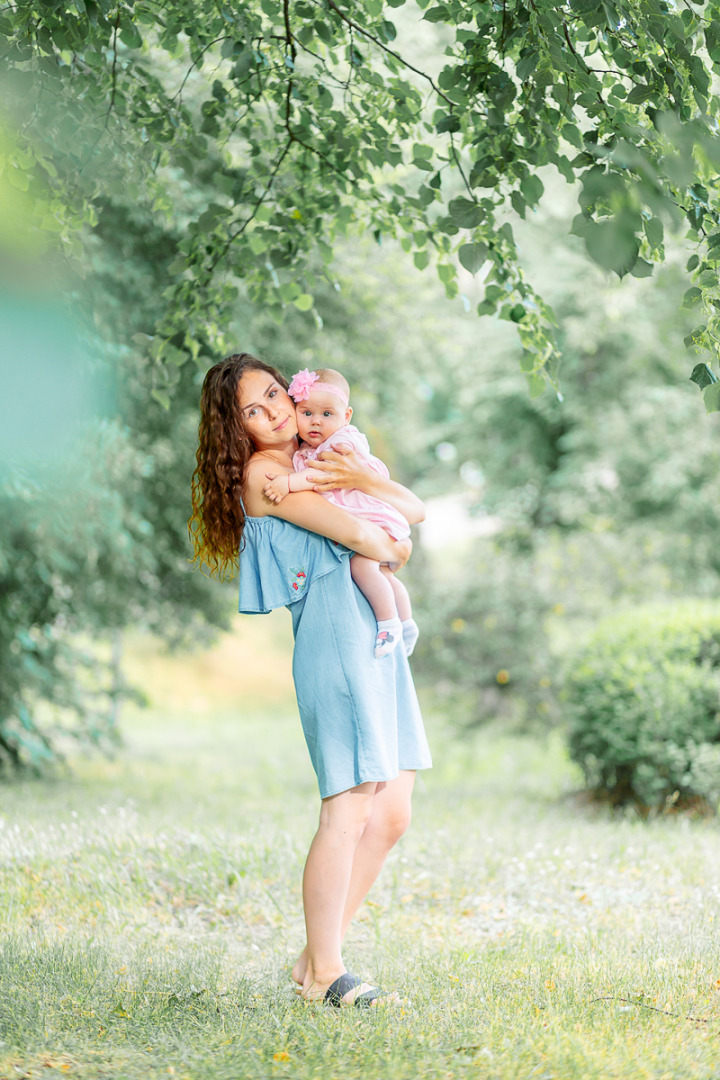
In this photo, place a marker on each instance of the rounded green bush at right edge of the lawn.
(643, 699)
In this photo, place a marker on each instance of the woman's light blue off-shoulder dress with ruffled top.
(360, 715)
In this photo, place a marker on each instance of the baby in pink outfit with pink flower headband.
(323, 413)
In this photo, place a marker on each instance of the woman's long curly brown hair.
(225, 449)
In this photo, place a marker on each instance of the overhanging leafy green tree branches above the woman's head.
(265, 131)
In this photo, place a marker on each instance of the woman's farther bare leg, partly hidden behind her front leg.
(389, 819)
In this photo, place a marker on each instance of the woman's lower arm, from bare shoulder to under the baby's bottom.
(315, 514)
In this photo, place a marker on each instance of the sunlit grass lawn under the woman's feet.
(151, 907)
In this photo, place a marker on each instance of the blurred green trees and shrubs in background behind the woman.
(559, 509)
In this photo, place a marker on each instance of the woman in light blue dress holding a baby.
(360, 715)
